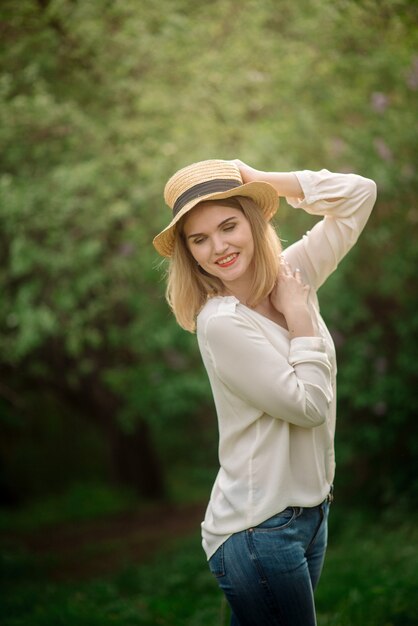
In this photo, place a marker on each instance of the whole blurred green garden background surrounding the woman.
(106, 416)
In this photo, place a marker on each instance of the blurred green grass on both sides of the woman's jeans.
(370, 579)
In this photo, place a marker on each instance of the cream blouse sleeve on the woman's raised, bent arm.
(345, 201)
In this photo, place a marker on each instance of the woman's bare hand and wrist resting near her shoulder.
(290, 297)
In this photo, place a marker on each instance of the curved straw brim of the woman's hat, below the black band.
(263, 194)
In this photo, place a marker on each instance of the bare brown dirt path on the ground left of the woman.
(94, 548)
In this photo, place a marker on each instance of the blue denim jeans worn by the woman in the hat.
(269, 573)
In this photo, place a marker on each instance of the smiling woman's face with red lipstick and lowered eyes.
(220, 240)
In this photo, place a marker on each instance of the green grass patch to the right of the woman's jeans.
(371, 574)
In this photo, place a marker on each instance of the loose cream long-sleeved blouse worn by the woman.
(275, 397)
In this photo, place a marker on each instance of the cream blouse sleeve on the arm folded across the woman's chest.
(294, 386)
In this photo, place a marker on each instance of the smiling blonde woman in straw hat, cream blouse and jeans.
(271, 365)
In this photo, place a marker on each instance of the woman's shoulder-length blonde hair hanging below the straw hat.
(188, 287)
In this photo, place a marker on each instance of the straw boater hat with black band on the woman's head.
(209, 180)
